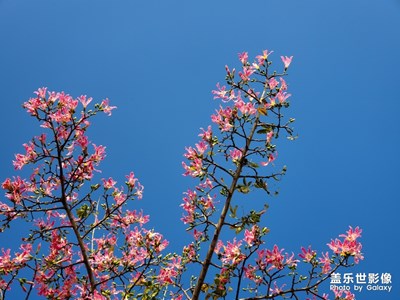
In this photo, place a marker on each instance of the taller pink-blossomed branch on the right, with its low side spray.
(243, 121)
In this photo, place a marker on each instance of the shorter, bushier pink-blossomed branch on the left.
(77, 251)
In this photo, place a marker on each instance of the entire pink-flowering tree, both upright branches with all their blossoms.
(85, 242)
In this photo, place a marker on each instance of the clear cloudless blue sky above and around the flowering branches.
(158, 62)
